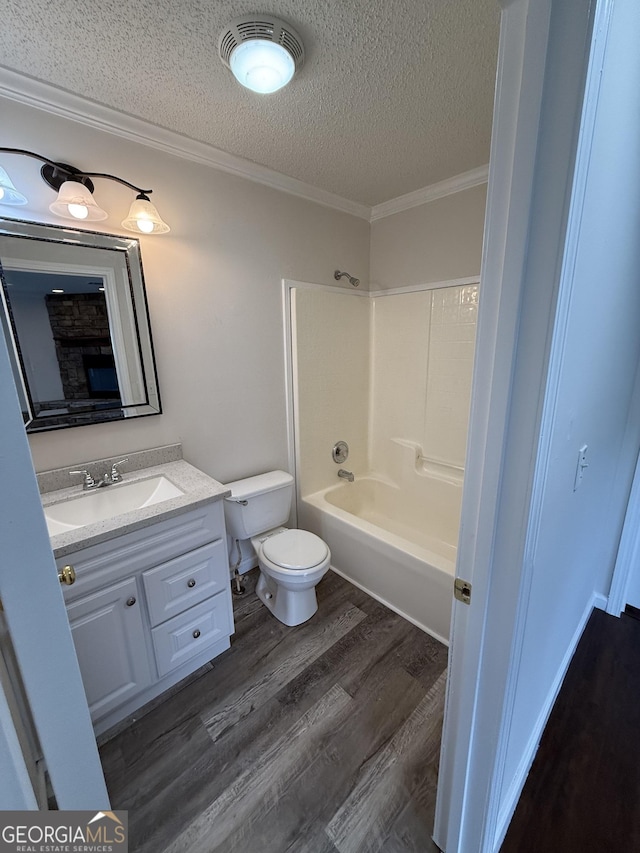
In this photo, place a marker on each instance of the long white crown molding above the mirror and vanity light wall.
(56, 101)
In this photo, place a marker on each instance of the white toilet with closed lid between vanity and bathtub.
(292, 562)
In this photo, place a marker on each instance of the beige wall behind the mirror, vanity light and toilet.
(214, 291)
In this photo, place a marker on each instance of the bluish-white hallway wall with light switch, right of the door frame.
(575, 535)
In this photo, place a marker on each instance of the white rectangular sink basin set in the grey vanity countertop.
(108, 502)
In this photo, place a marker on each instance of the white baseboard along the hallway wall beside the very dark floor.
(515, 788)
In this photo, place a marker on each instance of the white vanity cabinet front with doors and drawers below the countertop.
(148, 608)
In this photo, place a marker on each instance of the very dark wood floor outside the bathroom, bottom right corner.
(583, 791)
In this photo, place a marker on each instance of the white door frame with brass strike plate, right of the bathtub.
(531, 175)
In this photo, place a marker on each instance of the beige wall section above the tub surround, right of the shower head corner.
(437, 241)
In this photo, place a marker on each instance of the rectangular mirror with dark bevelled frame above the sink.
(75, 317)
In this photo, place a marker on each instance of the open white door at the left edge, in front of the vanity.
(38, 624)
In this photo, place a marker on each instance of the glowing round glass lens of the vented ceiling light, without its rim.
(262, 66)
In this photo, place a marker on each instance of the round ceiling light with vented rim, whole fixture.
(262, 51)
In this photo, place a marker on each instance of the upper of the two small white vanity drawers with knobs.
(184, 581)
